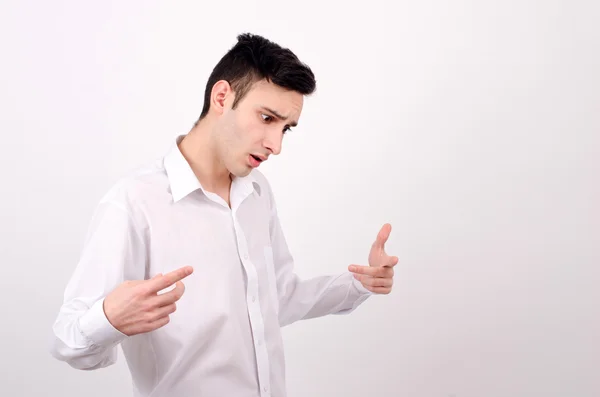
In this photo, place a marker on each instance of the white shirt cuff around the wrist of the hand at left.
(95, 326)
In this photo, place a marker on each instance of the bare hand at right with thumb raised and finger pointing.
(378, 276)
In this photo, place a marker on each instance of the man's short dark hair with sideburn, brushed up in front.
(254, 58)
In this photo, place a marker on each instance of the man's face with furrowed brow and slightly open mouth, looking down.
(254, 130)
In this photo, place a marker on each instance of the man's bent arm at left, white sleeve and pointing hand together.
(107, 298)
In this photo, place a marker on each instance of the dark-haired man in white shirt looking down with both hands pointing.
(205, 214)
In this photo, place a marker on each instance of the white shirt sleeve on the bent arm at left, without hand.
(113, 252)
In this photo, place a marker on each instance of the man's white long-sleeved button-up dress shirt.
(225, 338)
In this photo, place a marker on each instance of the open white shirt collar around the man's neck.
(183, 181)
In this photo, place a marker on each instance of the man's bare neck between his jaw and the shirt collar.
(198, 148)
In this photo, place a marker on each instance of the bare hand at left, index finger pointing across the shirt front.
(136, 307)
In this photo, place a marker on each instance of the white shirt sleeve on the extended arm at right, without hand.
(314, 297)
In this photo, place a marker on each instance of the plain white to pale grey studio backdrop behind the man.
(473, 127)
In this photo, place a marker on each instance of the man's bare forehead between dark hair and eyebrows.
(266, 94)
